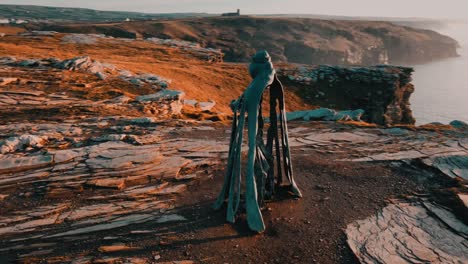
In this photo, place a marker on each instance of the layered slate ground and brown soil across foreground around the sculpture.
(134, 190)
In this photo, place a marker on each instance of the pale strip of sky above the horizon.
(448, 9)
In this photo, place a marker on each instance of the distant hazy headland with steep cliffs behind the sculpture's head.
(294, 40)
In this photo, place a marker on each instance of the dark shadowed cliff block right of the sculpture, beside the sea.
(383, 92)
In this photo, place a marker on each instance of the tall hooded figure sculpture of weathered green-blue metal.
(260, 174)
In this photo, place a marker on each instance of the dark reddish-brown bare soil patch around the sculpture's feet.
(308, 230)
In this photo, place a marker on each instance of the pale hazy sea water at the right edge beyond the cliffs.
(441, 88)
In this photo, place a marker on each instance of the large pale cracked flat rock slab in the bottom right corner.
(409, 232)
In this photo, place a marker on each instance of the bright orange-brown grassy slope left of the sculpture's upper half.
(200, 80)
